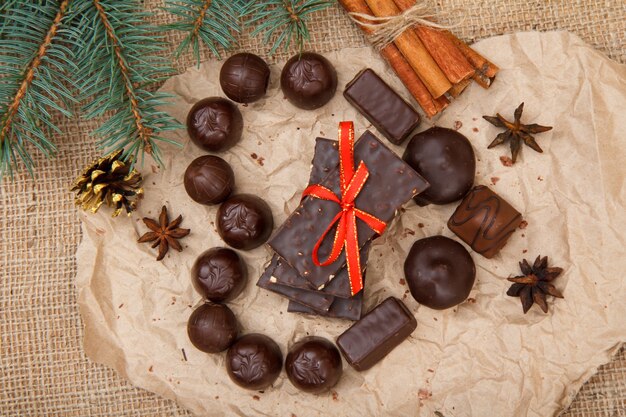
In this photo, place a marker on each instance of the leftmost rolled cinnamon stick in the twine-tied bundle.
(401, 67)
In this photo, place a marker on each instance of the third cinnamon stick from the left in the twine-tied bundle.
(445, 53)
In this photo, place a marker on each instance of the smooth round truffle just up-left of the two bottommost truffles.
(212, 328)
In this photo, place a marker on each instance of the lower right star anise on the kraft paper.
(534, 285)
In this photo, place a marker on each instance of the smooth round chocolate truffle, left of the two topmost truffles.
(244, 77)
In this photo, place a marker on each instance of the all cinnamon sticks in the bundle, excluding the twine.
(433, 64)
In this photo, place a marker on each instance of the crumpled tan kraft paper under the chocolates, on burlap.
(483, 357)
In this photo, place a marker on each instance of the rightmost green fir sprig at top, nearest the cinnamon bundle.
(284, 19)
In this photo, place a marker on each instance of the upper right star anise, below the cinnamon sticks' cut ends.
(516, 132)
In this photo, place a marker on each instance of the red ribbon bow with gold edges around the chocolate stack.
(351, 183)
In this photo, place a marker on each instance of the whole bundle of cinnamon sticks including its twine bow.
(433, 64)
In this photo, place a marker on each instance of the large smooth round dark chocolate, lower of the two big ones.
(440, 272)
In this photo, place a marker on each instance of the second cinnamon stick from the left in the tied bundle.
(414, 51)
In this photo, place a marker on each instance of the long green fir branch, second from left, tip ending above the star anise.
(120, 62)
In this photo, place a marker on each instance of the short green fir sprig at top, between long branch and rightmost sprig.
(208, 22)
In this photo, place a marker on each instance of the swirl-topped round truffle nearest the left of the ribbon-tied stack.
(244, 221)
